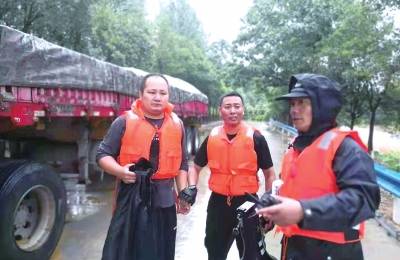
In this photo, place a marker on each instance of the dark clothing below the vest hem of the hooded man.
(303, 248)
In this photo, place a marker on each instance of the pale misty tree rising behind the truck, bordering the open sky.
(179, 49)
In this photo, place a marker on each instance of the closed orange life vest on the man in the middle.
(233, 163)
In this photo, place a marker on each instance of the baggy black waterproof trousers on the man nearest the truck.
(139, 231)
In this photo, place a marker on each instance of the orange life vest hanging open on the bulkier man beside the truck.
(139, 134)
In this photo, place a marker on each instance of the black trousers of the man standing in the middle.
(221, 220)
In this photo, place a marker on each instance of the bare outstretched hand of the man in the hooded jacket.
(288, 212)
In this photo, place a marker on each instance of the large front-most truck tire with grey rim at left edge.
(33, 206)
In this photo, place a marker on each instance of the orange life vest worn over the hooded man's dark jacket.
(310, 175)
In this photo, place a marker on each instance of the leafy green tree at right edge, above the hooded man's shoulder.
(359, 52)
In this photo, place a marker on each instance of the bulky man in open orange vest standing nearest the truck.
(150, 130)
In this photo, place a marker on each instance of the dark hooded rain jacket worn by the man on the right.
(359, 194)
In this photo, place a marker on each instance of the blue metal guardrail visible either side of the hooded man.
(387, 178)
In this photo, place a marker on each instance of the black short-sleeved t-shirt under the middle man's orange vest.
(264, 160)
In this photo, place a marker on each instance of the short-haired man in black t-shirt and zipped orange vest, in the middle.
(234, 153)
